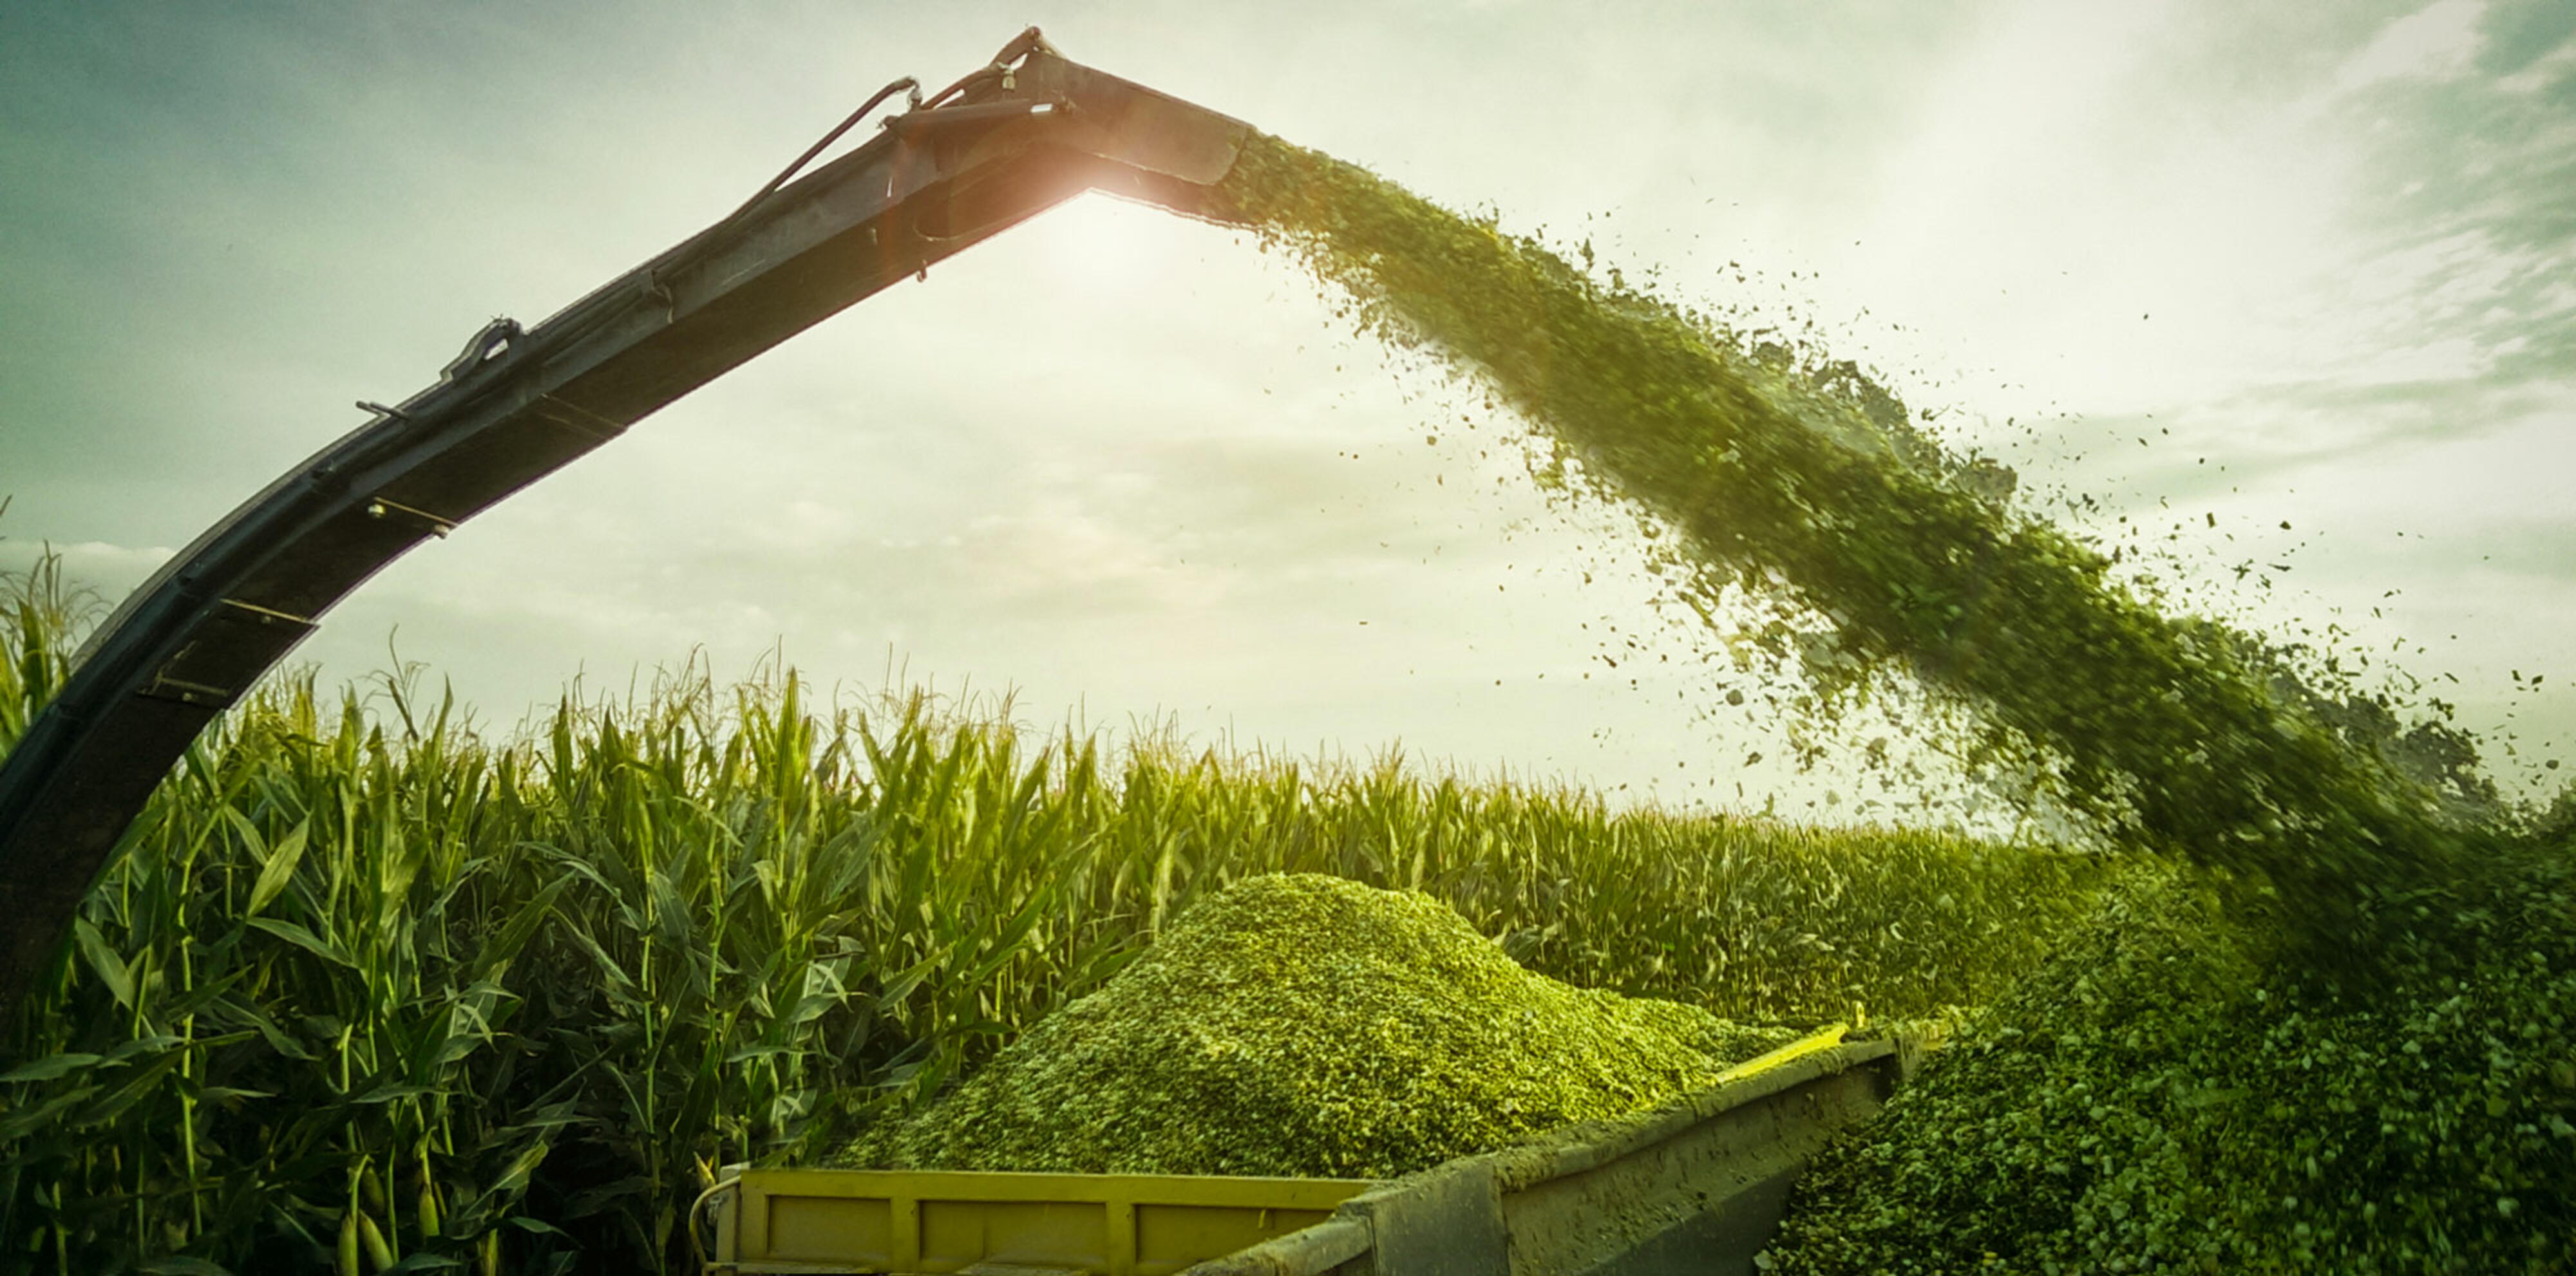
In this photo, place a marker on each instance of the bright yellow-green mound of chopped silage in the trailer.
(1305, 1025)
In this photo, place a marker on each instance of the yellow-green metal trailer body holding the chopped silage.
(1691, 1187)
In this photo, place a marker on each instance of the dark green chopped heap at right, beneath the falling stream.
(2165, 1100)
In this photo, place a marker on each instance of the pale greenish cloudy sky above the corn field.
(2289, 284)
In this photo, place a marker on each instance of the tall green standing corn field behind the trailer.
(375, 989)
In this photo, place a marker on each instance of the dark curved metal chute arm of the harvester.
(988, 153)
